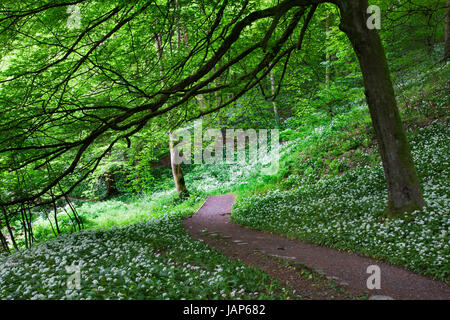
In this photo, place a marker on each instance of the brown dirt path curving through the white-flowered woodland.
(264, 250)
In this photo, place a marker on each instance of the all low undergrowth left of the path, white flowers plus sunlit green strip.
(131, 248)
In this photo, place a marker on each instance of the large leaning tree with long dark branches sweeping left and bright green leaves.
(70, 96)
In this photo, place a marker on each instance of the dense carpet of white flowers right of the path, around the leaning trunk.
(347, 211)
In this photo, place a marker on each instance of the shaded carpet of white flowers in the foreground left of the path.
(147, 260)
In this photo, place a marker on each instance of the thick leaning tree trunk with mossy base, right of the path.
(404, 192)
